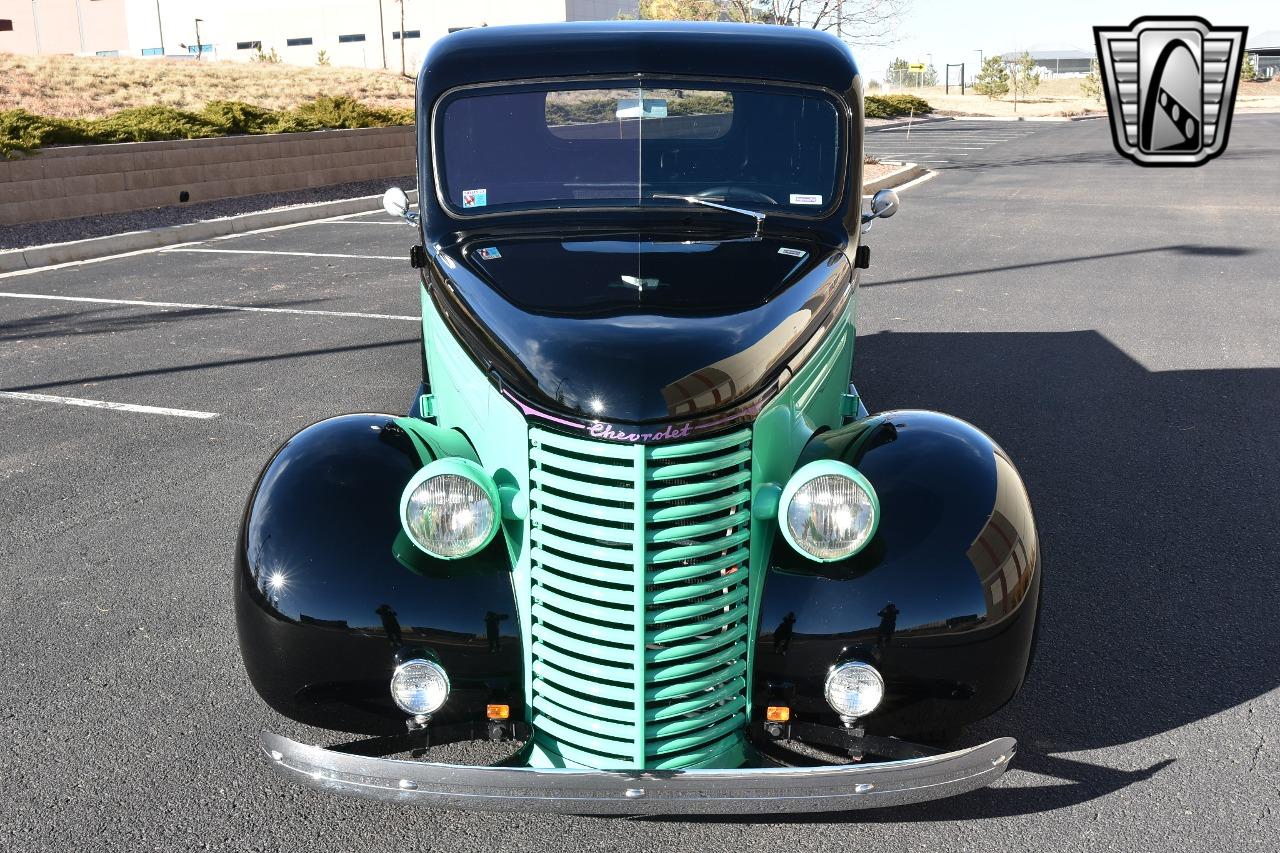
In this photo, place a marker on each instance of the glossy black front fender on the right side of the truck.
(943, 600)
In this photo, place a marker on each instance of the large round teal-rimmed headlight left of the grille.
(451, 509)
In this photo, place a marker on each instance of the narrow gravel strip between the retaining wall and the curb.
(62, 231)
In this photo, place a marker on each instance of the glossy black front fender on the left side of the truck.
(330, 591)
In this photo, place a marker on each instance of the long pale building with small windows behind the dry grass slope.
(364, 35)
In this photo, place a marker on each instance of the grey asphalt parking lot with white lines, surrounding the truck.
(1113, 327)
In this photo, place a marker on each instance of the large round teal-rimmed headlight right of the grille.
(829, 512)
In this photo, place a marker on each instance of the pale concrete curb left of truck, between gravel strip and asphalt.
(38, 257)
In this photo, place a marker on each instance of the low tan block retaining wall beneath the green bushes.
(88, 180)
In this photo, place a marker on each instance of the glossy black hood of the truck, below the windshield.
(641, 330)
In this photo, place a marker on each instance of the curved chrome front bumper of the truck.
(627, 792)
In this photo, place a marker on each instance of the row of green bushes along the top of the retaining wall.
(24, 131)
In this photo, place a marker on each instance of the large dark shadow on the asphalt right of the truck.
(1156, 501)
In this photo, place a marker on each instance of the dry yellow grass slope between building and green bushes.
(95, 86)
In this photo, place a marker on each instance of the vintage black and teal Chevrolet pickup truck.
(637, 523)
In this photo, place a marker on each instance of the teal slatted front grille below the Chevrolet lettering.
(639, 586)
